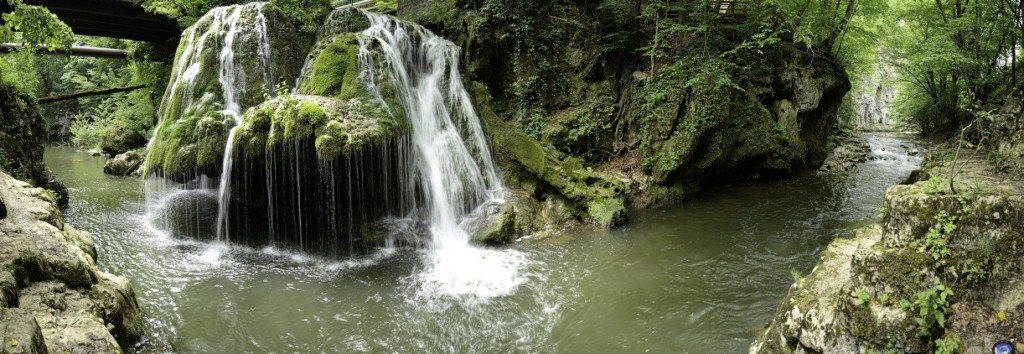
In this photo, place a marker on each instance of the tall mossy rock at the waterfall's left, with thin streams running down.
(193, 129)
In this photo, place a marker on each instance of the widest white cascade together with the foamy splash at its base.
(452, 164)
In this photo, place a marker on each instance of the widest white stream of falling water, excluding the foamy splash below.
(453, 163)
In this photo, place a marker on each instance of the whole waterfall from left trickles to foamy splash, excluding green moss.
(433, 178)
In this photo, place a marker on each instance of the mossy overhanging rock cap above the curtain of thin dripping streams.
(338, 126)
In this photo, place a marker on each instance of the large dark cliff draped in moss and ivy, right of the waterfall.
(708, 112)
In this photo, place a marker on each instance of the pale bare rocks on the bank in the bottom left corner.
(54, 298)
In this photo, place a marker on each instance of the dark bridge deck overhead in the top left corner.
(113, 19)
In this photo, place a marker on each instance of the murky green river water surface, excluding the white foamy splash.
(701, 278)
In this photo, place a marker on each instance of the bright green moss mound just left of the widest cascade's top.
(336, 70)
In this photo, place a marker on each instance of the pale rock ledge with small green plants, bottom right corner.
(943, 273)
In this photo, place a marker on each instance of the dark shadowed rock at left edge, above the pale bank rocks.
(23, 138)
